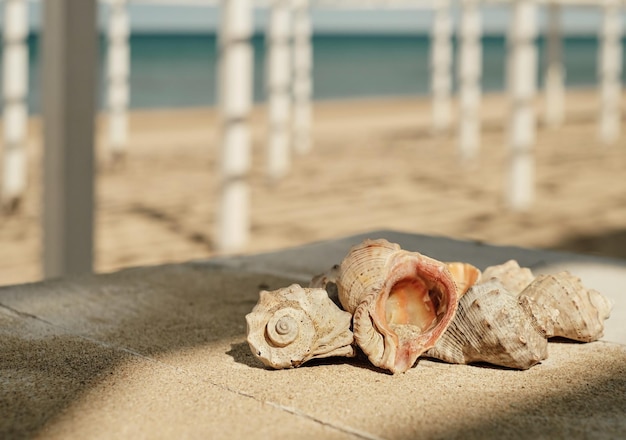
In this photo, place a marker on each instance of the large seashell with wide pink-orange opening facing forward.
(401, 301)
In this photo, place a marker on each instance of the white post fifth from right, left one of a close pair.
(441, 66)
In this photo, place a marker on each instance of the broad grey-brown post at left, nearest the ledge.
(69, 103)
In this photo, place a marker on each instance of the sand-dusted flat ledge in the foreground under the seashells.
(160, 352)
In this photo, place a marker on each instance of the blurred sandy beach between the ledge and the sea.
(374, 164)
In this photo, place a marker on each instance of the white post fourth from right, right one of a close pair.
(470, 65)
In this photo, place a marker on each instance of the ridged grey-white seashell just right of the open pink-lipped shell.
(490, 326)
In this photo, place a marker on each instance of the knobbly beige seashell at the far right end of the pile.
(564, 307)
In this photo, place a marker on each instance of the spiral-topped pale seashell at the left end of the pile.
(290, 326)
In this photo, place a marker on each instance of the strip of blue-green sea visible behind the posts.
(179, 70)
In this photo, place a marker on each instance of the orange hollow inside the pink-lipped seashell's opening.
(413, 302)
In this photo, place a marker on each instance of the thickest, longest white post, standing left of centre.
(235, 102)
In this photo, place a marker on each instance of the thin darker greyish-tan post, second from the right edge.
(555, 73)
